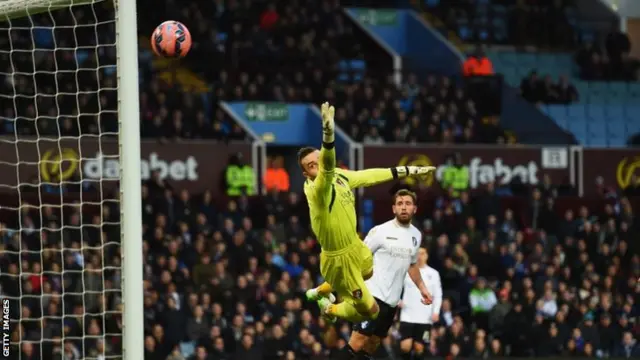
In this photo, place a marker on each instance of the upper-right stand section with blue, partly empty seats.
(591, 57)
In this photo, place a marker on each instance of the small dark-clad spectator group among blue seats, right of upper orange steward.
(537, 89)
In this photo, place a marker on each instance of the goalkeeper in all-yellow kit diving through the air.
(345, 261)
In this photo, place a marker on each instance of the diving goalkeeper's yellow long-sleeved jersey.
(332, 202)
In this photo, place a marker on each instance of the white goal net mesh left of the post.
(60, 265)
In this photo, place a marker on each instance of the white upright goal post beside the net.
(130, 179)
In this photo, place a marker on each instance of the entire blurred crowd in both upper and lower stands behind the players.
(225, 273)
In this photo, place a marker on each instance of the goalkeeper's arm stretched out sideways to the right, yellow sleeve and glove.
(370, 177)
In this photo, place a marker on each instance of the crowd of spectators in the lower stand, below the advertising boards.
(228, 282)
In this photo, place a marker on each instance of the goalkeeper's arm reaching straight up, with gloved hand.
(327, 162)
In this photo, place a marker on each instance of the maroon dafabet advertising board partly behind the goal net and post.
(196, 166)
